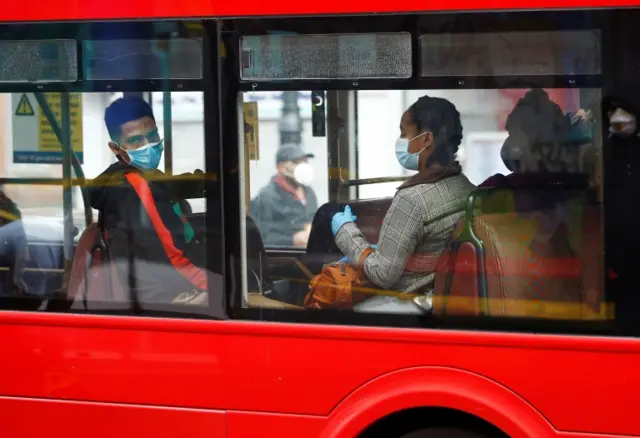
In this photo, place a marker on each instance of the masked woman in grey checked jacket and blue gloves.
(423, 214)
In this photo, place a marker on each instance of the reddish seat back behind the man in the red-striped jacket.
(90, 262)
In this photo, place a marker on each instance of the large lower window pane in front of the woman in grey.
(534, 224)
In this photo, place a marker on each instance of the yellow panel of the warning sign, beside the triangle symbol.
(47, 139)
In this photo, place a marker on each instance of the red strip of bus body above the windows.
(135, 9)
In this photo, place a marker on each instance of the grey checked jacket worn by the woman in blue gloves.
(415, 231)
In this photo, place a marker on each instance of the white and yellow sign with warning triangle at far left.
(34, 140)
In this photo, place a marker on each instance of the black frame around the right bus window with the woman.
(597, 19)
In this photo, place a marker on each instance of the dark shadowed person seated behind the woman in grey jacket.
(554, 185)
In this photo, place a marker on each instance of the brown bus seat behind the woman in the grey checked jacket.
(519, 276)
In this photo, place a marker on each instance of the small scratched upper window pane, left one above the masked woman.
(351, 56)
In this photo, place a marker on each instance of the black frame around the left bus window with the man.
(208, 85)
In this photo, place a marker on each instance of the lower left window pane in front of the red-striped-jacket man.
(42, 208)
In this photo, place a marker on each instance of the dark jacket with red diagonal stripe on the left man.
(148, 237)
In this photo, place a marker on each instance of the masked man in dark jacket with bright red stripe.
(149, 238)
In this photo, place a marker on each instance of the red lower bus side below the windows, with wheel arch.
(325, 381)
